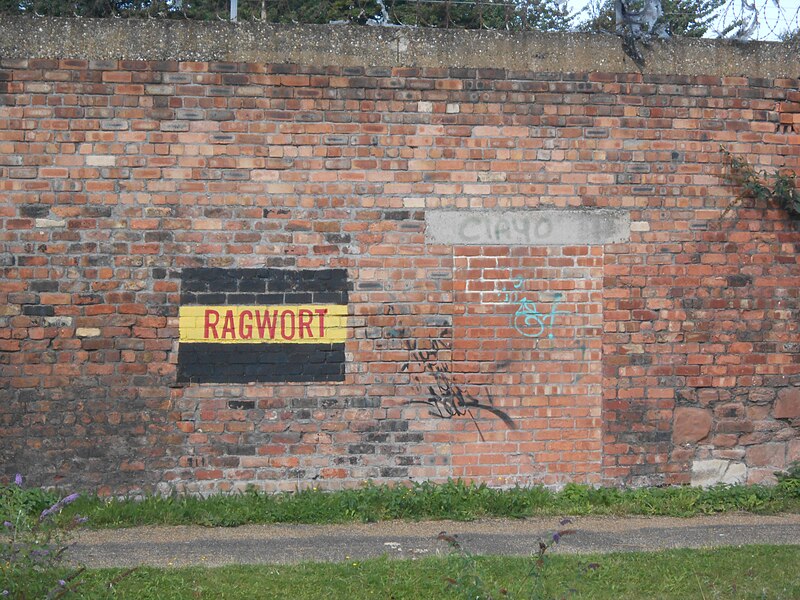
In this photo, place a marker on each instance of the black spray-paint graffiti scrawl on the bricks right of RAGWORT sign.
(446, 398)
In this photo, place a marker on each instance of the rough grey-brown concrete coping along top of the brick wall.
(339, 45)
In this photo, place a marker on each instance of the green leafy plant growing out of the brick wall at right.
(778, 187)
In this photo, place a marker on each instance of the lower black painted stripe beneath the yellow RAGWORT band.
(245, 363)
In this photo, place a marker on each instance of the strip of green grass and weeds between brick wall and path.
(453, 500)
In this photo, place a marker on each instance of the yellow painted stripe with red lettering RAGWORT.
(283, 324)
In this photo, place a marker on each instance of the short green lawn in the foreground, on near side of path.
(745, 572)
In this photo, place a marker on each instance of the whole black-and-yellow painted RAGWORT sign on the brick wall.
(253, 325)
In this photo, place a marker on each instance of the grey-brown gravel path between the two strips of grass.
(258, 544)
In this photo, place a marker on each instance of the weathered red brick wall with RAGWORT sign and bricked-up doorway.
(669, 355)
